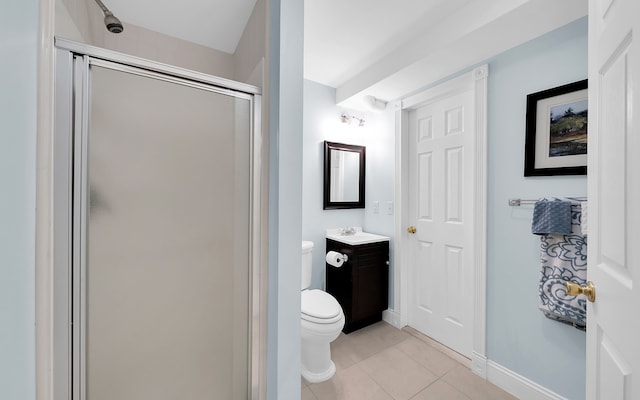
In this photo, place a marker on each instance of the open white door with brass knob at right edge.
(613, 351)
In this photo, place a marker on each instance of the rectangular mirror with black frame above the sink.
(344, 166)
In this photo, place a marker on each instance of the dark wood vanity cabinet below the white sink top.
(361, 285)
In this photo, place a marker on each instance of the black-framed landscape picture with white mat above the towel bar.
(556, 131)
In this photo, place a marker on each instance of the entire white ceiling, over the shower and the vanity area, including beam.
(370, 48)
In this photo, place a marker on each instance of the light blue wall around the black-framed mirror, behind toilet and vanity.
(322, 122)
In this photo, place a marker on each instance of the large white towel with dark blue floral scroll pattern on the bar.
(564, 258)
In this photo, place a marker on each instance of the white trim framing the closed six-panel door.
(477, 78)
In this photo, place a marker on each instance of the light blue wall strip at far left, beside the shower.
(18, 114)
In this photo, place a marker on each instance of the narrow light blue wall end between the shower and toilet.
(285, 197)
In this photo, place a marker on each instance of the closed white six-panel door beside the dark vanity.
(441, 192)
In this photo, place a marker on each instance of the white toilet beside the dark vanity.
(321, 323)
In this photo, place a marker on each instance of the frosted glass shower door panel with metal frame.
(163, 204)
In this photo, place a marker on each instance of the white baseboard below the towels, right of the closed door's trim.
(518, 385)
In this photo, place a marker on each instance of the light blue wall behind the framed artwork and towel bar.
(519, 337)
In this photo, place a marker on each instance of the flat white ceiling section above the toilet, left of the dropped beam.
(343, 38)
